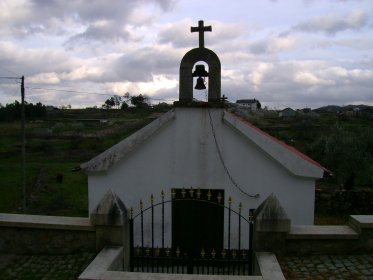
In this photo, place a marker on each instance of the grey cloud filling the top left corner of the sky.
(40, 16)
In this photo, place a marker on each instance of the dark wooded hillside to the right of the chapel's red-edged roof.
(340, 138)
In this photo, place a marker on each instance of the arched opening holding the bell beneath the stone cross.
(200, 81)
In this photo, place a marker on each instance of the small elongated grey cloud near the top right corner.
(332, 24)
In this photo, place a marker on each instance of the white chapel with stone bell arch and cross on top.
(199, 147)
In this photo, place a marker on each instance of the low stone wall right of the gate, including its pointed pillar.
(274, 233)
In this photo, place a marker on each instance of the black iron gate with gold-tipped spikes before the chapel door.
(178, 259)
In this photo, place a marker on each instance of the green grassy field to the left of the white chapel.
(52, 187)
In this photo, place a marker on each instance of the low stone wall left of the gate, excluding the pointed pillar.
(32, 234)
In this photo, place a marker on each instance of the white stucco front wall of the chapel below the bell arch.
(183, 154)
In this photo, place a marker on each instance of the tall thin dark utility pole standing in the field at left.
(24, 192)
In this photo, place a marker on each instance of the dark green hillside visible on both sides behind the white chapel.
(63, 139)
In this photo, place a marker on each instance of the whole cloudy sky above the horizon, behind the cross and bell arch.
(297, 53)
